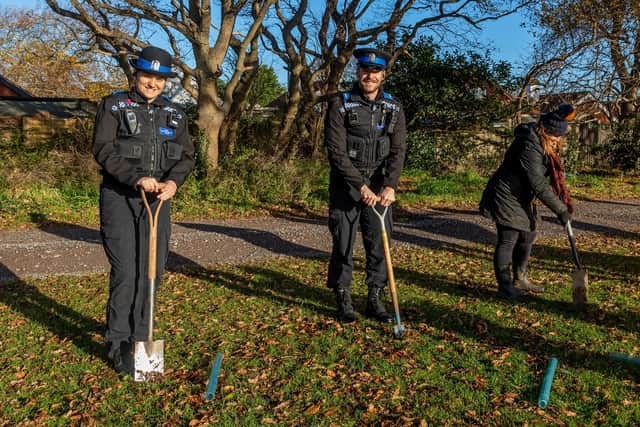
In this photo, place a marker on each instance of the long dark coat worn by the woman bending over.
(522, 177)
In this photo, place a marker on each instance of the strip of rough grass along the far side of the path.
(300, 187)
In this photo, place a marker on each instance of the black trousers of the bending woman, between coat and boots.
(514, 246)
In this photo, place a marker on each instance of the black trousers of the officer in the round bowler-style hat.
(124, 228)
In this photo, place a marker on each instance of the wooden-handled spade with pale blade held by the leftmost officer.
(148, 356)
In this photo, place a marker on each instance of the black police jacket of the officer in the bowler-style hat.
(134, 139)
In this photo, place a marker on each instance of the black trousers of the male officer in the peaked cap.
(345, 215)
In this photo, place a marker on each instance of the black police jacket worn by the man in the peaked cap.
(365, 138)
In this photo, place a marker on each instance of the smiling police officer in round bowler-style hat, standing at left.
(140, 140)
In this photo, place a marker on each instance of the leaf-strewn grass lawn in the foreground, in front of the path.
(468, 358)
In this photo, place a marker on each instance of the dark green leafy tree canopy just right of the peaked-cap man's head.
(450, 90)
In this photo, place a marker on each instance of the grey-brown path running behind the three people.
(73, 250)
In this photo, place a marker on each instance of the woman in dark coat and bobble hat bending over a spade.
(509, 196)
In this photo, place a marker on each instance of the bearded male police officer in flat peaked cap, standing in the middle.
(365, 134)
